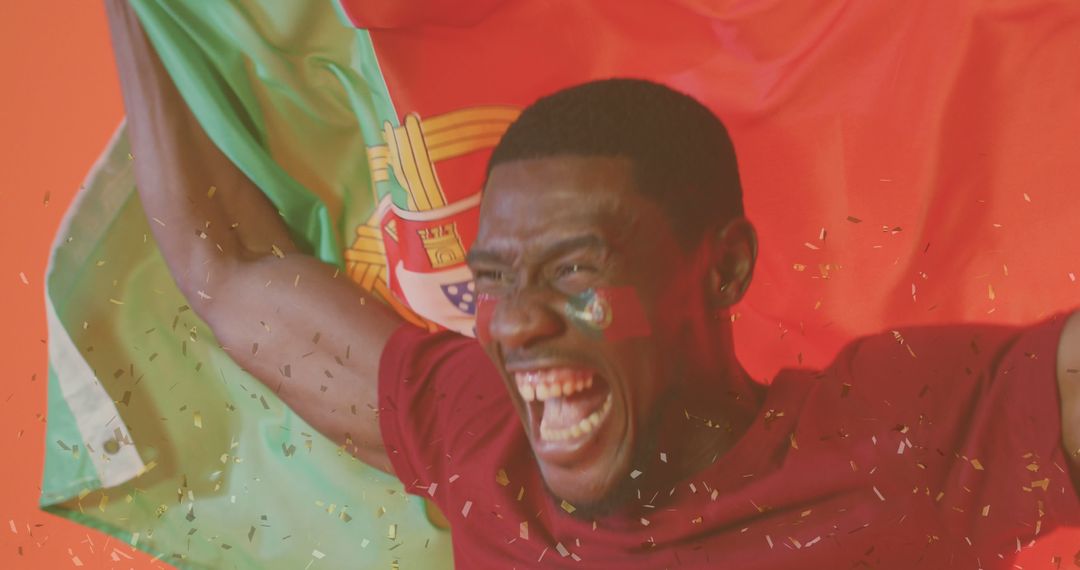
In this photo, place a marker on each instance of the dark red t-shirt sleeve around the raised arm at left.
(434, 388)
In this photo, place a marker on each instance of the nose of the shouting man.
(523, 320)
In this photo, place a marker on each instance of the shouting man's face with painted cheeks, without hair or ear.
(575, 269)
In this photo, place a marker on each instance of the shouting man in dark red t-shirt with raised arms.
(603, 419)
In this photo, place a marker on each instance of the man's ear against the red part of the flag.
(734, 252)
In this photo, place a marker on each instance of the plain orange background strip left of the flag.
(60, 103)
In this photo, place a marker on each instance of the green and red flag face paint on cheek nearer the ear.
(615, 314)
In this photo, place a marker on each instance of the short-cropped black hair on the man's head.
(683, 158)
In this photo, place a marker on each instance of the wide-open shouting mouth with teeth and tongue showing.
(568, 406)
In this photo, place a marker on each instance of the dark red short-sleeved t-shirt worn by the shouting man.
(939, 452)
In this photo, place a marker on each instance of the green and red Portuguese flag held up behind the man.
(904, 164)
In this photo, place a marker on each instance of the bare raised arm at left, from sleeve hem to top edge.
(283, 316)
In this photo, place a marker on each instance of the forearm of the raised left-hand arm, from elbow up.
(205, 213)
